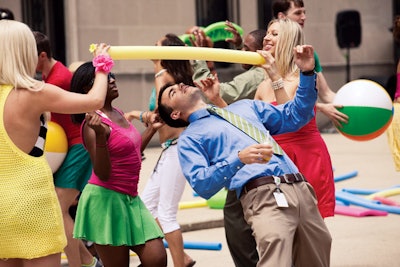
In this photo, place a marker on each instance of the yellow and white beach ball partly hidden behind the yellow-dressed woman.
(56, 145)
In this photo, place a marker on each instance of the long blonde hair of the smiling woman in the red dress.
(290, 35)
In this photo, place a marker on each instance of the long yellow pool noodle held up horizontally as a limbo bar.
(185, 53)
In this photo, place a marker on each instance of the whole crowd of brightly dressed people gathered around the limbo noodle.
(283, 178)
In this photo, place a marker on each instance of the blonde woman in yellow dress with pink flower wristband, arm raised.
(31, 225)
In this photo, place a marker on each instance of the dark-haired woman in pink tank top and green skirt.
(110, 213)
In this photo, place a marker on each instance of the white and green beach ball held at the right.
(368, 106)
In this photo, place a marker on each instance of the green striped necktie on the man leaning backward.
(246, 127)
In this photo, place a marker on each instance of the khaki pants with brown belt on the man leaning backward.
(296, 235)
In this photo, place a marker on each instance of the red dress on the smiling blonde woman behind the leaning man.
(308, 151)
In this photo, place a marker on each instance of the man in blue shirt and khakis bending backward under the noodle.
(278, 204)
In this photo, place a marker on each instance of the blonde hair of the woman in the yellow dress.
(19, 54)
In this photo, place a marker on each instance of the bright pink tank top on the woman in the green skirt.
(124, 147)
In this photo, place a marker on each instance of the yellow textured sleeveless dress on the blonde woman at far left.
(31, 223)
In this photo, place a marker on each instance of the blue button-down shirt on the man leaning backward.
(208, 148)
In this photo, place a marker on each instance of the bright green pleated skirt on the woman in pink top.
(107, 217)
